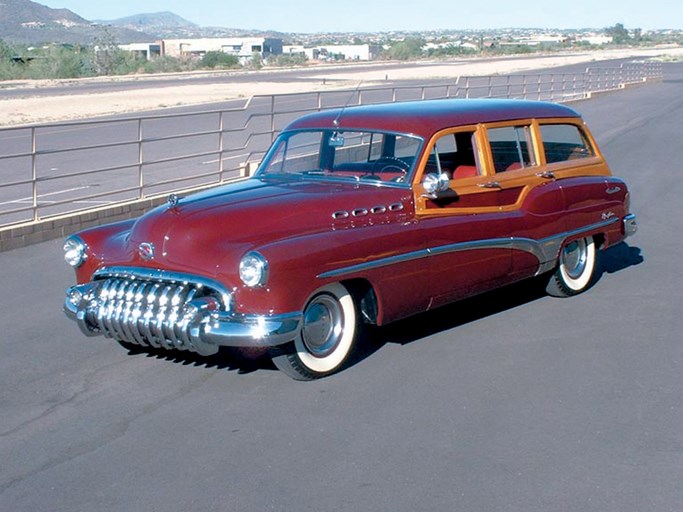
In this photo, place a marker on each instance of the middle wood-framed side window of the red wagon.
(511, 148)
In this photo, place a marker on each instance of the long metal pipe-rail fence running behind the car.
(49, 172)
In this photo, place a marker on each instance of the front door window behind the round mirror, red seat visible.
(455, 154)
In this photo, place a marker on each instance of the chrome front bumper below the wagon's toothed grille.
(198, 326)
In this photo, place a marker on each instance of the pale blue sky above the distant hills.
(387, 15)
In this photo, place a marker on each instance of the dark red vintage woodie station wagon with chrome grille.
(358, 215)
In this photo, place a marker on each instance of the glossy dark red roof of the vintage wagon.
(427, 117)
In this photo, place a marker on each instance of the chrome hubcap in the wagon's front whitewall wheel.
(323, 325)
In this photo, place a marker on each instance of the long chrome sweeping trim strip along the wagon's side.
(546, 251)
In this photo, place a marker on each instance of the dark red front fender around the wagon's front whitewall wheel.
(297, 268)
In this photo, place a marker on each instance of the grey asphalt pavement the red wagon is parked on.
(512, 401)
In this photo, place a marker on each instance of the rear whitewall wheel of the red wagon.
(576, 269)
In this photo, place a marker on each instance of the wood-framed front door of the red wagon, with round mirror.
(465, 233)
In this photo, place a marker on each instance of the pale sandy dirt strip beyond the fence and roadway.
(32, 109)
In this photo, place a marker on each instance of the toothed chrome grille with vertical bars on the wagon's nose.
(149, 312)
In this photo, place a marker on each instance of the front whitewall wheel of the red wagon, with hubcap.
(329, 329)
